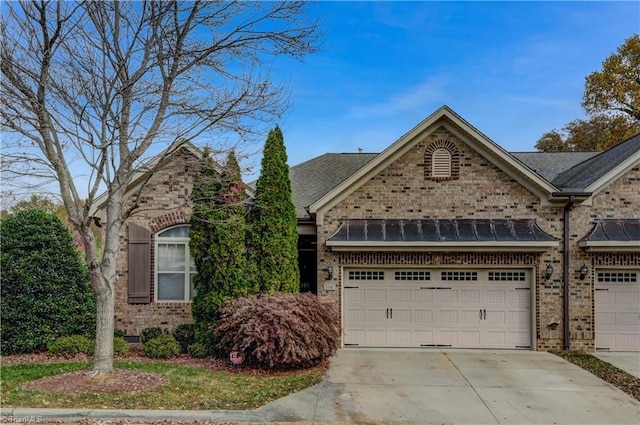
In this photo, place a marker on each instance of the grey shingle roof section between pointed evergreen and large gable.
(312, 179)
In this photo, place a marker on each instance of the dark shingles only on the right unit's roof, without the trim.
(589, 171)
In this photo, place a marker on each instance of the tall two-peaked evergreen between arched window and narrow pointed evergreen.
(217, 243)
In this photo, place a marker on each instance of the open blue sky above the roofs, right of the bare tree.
(514, 70)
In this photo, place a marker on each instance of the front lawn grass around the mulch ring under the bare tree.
(188, 387)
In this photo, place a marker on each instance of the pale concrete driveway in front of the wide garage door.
(456, 387)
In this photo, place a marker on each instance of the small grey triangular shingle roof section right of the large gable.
(550, 164)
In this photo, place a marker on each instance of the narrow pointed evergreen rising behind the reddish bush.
(274, 235)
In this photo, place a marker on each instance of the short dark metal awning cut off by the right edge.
(613, 235)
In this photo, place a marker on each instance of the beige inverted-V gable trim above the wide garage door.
(447, 118)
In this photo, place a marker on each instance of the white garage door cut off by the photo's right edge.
(618, 310)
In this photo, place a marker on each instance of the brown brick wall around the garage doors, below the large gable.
(482, 190)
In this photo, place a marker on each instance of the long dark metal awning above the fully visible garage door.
(441, 235)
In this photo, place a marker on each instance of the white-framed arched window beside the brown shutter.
(174, 266)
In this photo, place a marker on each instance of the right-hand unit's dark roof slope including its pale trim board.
(594, 173)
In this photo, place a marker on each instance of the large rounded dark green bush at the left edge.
(45, 283)
